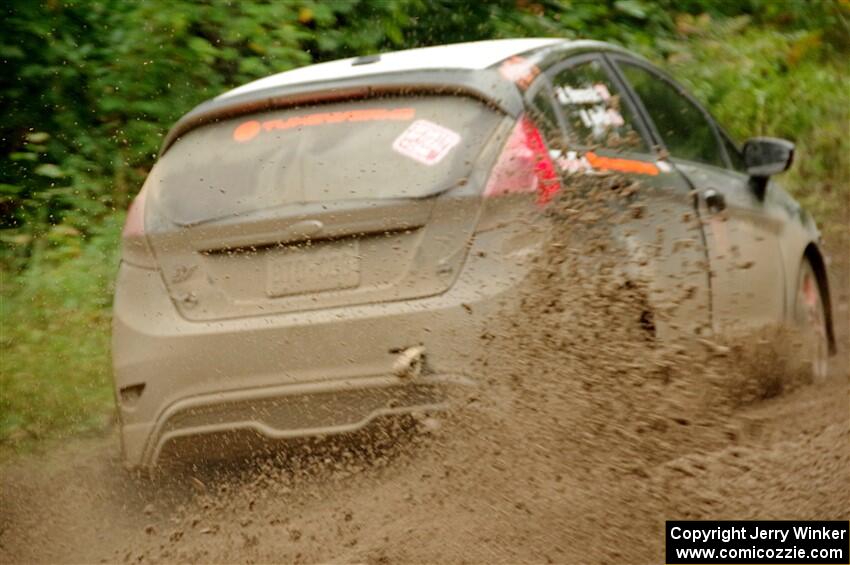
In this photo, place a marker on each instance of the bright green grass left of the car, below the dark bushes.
(54, 339)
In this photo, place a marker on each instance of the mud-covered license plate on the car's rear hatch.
(312, 269)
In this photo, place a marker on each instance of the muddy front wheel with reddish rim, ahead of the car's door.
(810, 317)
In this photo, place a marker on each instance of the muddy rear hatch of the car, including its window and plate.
(320, 206)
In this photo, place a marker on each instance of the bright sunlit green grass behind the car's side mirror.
(779, 83)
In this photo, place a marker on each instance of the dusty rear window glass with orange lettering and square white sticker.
(370, 149)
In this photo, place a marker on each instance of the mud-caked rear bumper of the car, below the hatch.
(291, 375)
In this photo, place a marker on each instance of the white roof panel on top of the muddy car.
(473, 55)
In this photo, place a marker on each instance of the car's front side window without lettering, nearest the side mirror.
(684, 127)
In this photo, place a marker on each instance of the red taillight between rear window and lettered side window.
(524, 165)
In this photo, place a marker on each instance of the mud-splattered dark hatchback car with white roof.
(326, 246)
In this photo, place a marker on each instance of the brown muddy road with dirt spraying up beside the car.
(585, 437)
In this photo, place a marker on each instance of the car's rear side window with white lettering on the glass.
(595, 113)
